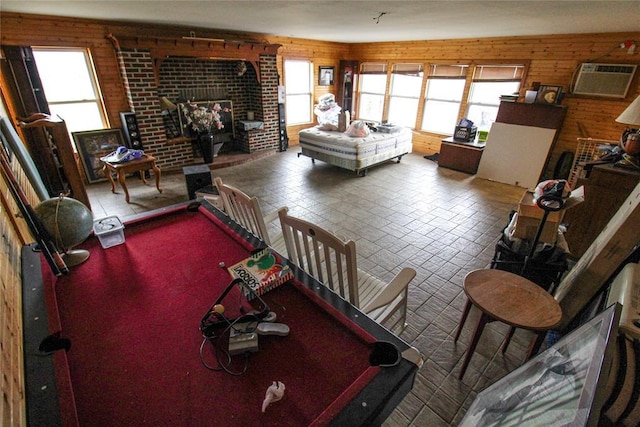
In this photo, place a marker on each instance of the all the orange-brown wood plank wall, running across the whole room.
(553, 59)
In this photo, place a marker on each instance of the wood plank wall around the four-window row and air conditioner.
(553, 60)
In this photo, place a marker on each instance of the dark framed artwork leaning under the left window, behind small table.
(94, 144)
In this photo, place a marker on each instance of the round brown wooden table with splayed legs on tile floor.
(511, 299)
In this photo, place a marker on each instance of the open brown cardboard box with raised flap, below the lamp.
(530, 215)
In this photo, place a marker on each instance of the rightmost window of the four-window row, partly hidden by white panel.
(489, 82)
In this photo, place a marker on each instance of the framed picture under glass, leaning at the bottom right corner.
(563, 385)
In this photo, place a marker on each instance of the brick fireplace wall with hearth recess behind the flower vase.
(180, 78)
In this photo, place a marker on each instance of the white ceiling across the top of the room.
(357, 20)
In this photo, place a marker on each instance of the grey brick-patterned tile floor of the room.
(441, 222)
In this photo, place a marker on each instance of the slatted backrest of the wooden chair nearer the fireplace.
(243, 209)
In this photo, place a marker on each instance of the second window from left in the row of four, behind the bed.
(404, 95)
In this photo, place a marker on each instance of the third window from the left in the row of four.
(445, 86)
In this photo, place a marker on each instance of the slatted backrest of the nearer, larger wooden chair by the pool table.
(322, 255)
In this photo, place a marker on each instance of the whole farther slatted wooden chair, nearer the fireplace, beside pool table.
(245, 210)
